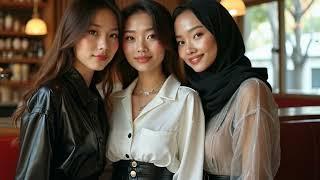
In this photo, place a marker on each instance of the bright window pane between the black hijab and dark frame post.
(261, 38)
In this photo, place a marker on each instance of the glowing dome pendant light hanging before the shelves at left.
(36, 26)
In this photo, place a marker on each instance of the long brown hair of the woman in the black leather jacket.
(60, 57)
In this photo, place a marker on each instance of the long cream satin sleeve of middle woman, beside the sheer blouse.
(191, 141)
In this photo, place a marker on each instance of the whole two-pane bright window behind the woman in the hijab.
(302, 43)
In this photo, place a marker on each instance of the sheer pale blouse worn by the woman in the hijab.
(243, 140)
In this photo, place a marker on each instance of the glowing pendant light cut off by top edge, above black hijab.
(235, 7)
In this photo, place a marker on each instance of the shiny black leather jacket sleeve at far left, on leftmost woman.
(36, 138)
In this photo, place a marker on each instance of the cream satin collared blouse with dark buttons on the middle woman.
(169, 131)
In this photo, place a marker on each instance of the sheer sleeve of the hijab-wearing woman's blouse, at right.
(256, 136)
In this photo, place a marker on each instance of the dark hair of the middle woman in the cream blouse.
(163, 27)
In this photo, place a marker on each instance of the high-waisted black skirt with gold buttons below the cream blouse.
(136, 170)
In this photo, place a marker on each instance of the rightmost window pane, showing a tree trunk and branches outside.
(302, 26)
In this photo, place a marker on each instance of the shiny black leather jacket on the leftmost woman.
(63, 132)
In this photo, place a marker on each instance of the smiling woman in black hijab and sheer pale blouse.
(242, 127)
